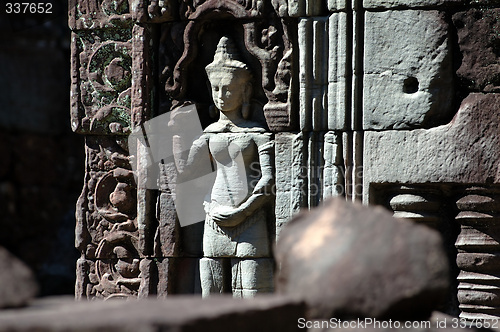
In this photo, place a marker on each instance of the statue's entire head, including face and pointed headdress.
(229, 77)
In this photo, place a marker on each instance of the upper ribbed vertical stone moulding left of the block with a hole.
(322, 72)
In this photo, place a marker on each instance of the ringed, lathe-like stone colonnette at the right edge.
(478, 253)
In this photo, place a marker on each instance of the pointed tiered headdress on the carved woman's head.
(226, 59)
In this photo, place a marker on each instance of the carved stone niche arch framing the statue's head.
(268, 46)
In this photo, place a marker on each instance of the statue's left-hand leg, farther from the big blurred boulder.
(212, 276)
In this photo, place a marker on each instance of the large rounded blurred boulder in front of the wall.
(351, 261)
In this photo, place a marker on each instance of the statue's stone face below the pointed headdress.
(228, 89)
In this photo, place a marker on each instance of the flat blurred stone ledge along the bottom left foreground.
(270, 313)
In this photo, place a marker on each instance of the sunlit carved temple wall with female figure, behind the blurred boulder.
(379, 101)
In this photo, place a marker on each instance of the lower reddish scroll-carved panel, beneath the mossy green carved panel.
(106, 231)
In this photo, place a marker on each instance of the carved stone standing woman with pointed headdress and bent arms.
(236, 240)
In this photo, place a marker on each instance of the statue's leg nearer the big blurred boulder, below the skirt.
(252, 276)
